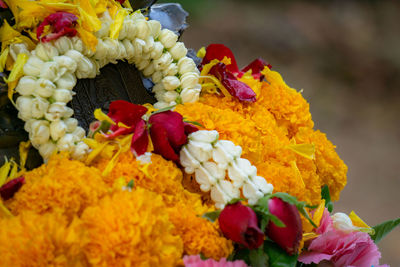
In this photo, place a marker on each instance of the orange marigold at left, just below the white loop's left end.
(61, 184)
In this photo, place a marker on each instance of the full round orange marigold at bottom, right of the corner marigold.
(130, 229)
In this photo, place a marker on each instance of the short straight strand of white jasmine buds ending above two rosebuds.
(213, 160)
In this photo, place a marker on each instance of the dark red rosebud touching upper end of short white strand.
(167, 133)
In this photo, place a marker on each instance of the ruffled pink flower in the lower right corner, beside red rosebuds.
(340, 248)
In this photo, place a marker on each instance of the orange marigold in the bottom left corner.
(30, 239)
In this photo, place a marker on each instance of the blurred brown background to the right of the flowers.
(345, 55)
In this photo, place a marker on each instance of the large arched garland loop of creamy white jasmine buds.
(52, 70)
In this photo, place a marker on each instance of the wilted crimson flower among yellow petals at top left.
(61, 24)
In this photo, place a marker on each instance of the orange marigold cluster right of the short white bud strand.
(266, 130)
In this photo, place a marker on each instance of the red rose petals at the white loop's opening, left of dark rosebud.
(127, 113)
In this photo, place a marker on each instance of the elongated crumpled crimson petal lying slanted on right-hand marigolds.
(236, 88)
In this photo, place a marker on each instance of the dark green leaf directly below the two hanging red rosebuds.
(278, 257)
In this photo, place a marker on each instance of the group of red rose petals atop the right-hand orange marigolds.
(228, 74)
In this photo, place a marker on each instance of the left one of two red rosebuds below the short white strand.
(240, 224)
